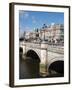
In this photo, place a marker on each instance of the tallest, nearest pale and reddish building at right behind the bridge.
(54, 32)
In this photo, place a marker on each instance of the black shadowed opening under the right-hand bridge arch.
(56, 68)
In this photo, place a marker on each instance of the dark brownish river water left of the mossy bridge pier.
(29, 68)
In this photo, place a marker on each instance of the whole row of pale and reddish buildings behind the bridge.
(52, 33)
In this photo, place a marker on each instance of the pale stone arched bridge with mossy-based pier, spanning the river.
(47, 54)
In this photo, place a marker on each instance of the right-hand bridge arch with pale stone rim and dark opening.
(57, 65)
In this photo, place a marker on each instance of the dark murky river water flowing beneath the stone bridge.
(29, 68)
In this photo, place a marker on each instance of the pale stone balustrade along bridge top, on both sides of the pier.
(52, 48)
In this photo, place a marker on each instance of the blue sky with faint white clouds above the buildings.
(29, 20)
